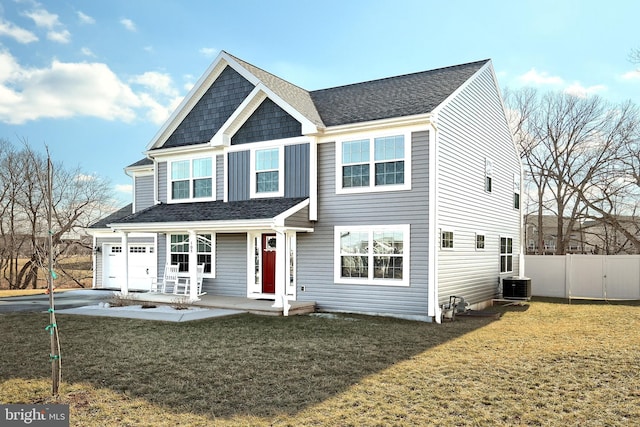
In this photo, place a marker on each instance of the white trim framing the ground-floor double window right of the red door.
(406, 258)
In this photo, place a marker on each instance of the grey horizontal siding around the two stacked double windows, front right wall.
(315, 250)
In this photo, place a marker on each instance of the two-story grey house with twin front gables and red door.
(382, 197)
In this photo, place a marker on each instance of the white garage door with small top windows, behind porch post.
(142, 266)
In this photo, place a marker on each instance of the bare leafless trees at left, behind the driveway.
(23, 226)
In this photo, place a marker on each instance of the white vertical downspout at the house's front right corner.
(434, 309)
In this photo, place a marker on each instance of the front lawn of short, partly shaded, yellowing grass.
(541, 364)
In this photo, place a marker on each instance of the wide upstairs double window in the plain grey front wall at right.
(373, 164)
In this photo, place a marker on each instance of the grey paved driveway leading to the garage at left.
(62, 300)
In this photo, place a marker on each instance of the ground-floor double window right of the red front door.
(372, 255)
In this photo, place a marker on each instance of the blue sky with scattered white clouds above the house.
(94, 80)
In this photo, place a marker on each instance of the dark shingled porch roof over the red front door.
(211, 211)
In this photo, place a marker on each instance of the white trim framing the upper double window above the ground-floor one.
(372, 188)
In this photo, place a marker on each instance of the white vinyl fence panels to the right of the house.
(584, 276)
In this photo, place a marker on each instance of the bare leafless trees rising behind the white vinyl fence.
(571, 148)
